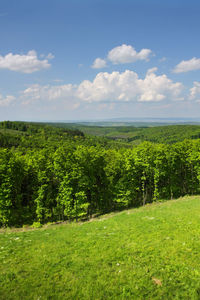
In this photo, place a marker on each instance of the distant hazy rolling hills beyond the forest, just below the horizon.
(136, 134)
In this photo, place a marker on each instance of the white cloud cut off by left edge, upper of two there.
(27, 63)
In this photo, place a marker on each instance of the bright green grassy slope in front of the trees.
(148, 253)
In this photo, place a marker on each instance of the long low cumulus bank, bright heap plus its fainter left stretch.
(108, 88)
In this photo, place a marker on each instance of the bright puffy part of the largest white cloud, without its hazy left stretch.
(127, 86)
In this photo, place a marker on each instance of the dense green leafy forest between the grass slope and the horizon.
(50, 173)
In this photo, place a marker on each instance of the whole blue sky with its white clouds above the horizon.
(63, 60)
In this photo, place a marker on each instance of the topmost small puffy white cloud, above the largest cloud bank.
(127, 54)
